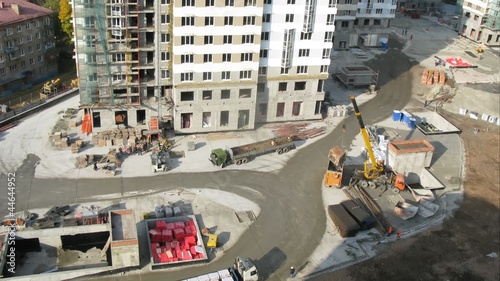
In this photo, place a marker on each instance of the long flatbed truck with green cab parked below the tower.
(241, 154)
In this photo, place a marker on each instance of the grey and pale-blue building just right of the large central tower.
(362, 22)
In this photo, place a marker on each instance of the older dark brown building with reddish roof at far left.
(26, 45)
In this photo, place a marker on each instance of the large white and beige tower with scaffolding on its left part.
(202, 65)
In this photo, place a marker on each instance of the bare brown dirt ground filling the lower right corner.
(458, 248)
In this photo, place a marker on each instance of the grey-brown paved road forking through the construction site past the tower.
(292, 219)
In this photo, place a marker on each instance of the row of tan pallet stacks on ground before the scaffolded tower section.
(117, 137)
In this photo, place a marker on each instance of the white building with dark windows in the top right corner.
(480, 20)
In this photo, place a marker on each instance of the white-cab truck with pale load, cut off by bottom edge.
(242, 270)
